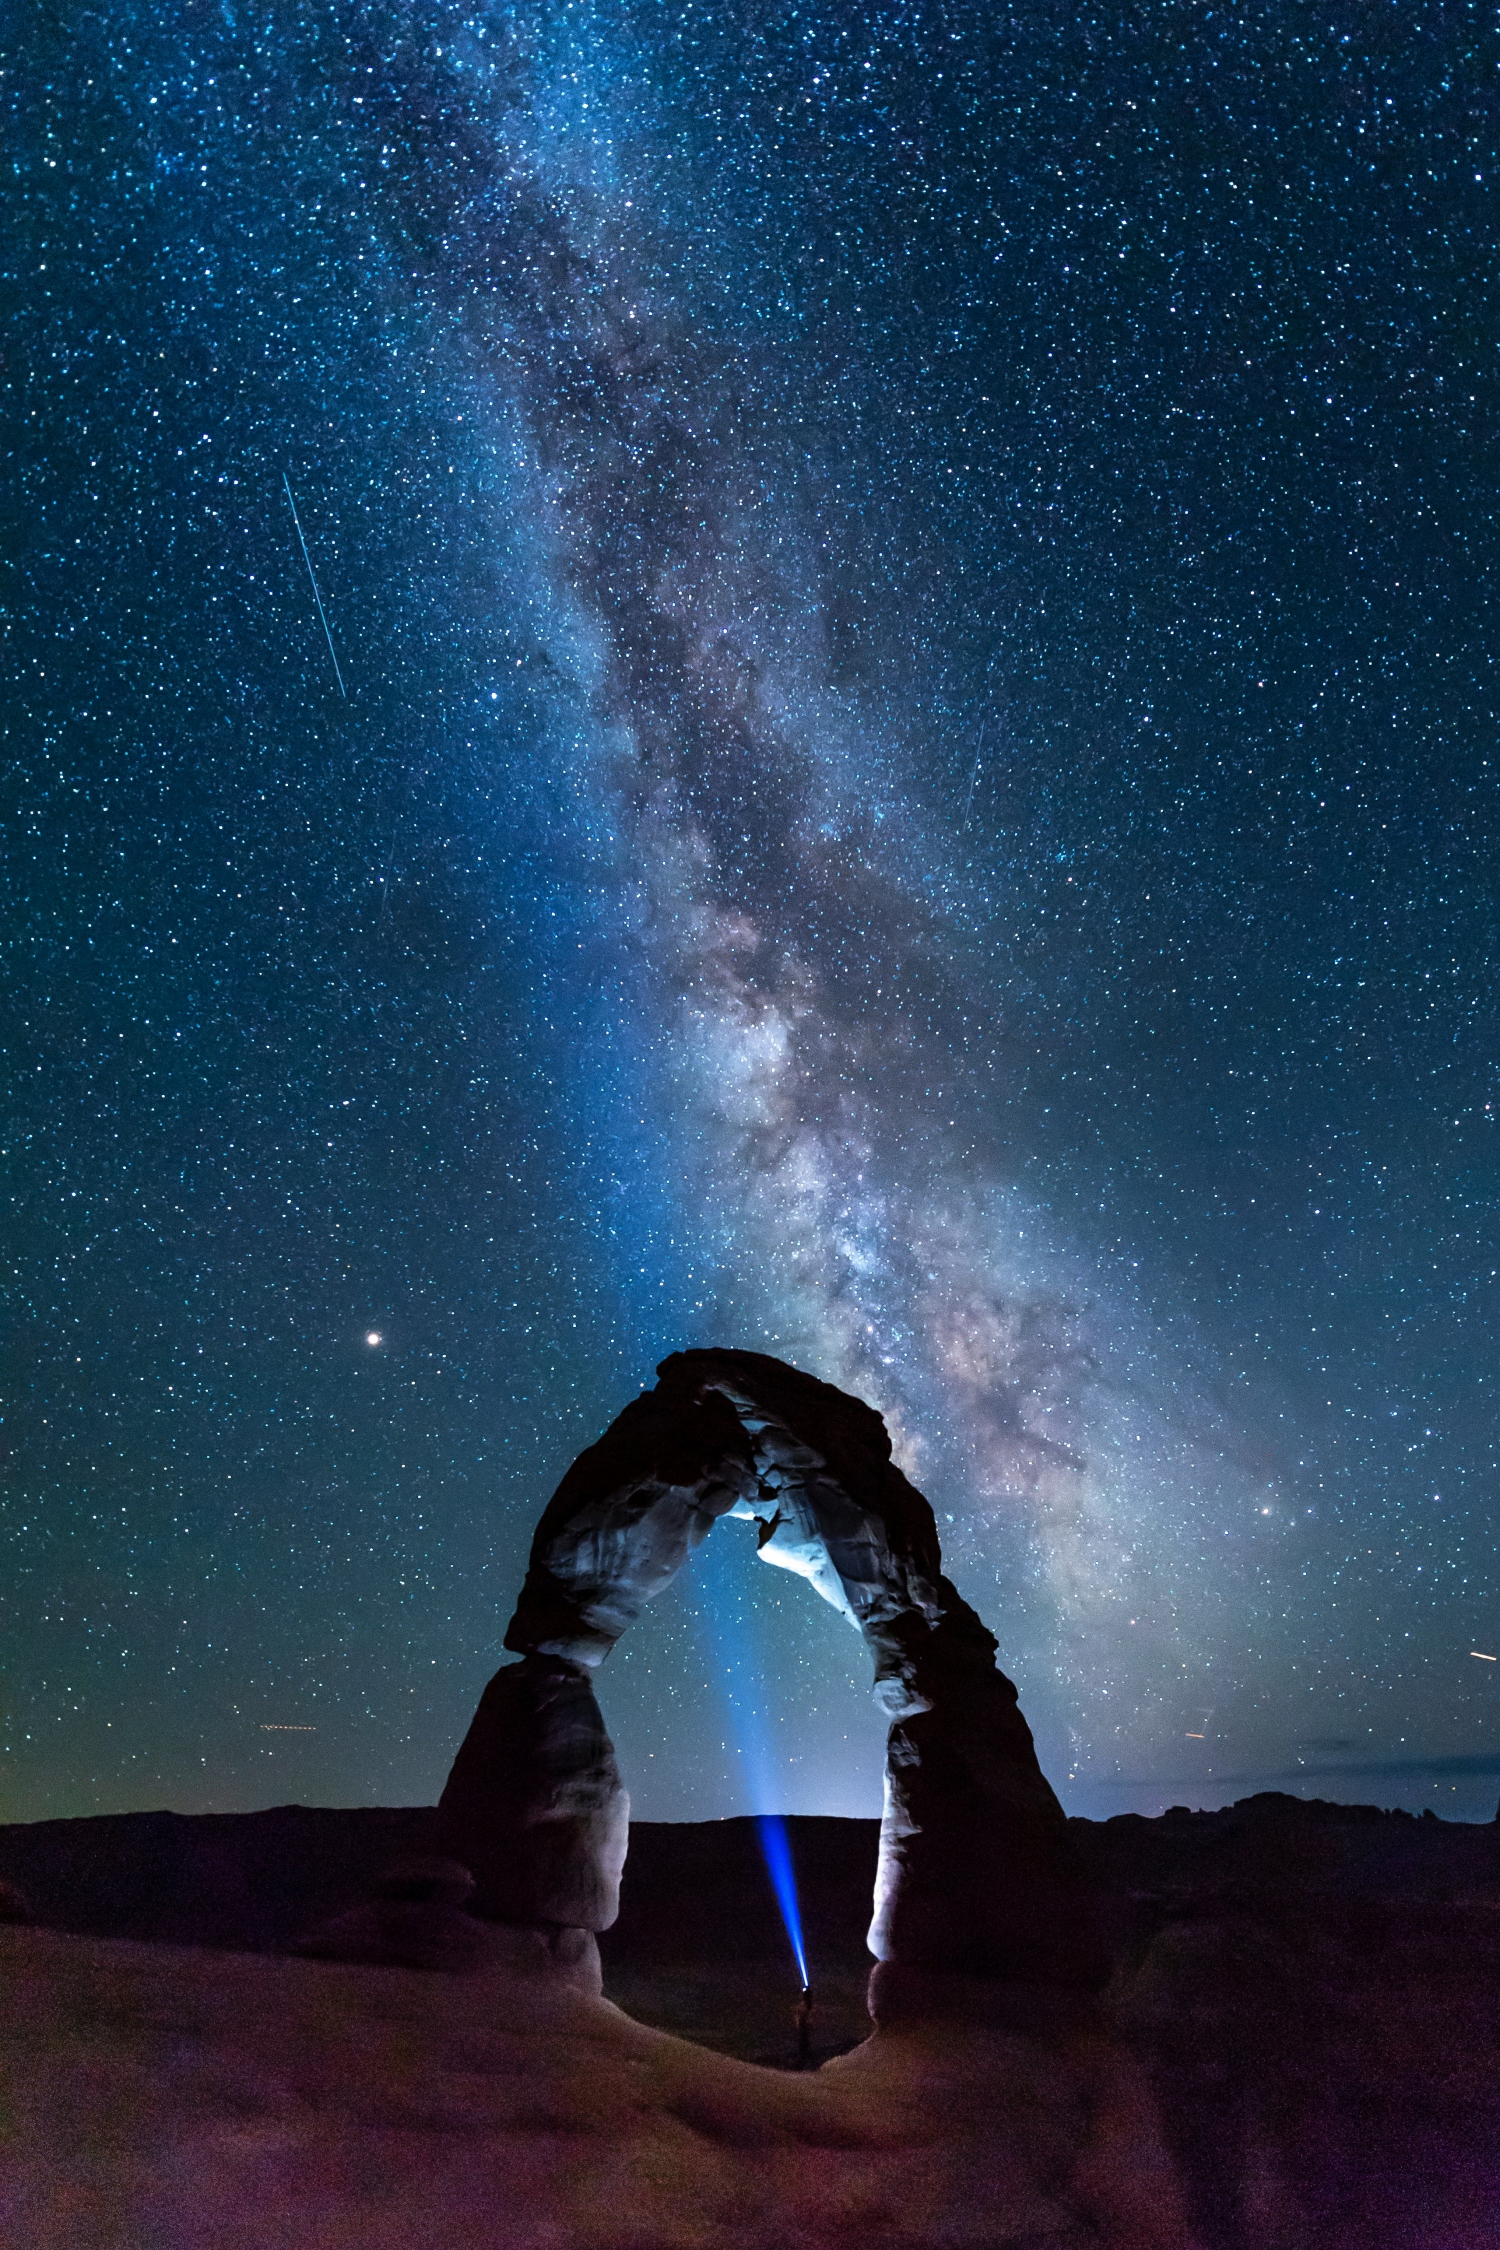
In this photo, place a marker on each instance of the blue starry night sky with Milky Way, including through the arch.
(898, 766)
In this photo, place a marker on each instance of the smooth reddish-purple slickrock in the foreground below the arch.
(161, 2098)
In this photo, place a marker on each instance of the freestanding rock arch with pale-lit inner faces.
(975, 1855)
